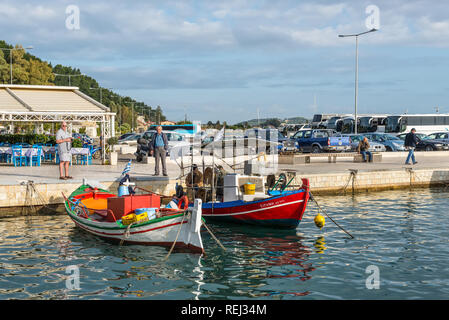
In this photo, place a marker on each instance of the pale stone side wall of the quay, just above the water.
(49, 200)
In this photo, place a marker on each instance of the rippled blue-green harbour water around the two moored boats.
(400, 236)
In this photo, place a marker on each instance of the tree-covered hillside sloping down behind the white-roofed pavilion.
(30, 70)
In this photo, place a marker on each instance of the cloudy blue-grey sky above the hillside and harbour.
(224, 60)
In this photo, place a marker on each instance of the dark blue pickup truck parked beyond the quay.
(319, 140)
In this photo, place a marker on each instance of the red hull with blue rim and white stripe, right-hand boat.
(282, 211)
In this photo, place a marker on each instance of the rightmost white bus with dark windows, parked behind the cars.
(423, 123)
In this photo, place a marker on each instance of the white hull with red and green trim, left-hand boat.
(181, 229)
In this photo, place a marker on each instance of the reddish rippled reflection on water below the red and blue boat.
(258, 263)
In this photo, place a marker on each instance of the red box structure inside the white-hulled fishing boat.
(121, 206)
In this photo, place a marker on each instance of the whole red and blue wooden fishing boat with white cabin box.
(283, 209)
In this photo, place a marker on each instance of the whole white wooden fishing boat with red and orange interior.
(103, 214)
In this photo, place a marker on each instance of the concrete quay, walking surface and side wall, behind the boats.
(341, 177)
